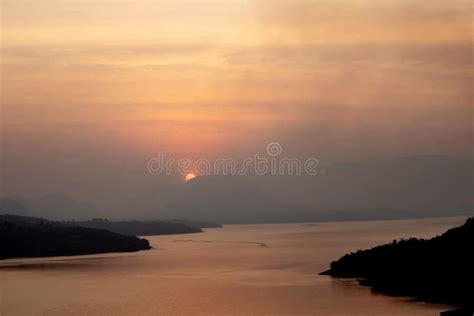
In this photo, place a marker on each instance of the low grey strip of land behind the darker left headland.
(137, 228)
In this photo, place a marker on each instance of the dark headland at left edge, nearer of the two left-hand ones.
(36, 237)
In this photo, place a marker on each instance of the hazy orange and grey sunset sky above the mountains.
(92, 89)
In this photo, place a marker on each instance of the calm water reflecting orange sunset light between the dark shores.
(238, 269)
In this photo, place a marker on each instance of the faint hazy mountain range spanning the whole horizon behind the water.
(405, 187)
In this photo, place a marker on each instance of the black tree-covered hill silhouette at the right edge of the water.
(438, 270)
